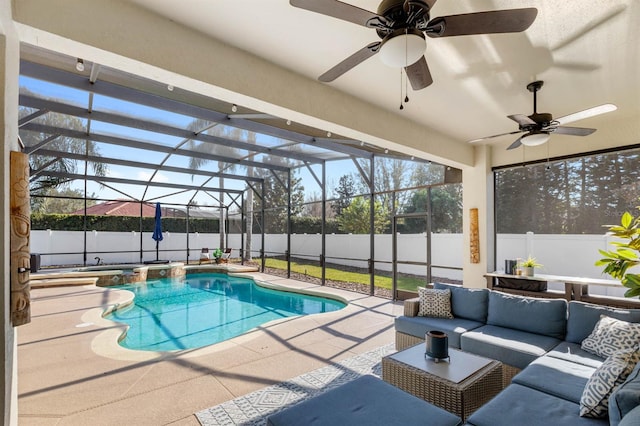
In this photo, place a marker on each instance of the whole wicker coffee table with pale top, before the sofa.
(460, 385)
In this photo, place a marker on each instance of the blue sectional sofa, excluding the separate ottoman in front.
(539, 343)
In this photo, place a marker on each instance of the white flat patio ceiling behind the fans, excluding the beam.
(586, 52)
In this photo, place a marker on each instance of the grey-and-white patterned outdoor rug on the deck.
(254, 408)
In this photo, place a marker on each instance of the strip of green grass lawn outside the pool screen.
(404, 283)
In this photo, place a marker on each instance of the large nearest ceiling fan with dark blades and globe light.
(402, 25)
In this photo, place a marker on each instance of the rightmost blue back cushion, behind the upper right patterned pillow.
(584, 316)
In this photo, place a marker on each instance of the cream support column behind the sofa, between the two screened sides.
(478, 193)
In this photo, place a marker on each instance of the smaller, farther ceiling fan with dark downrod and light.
(539, 125)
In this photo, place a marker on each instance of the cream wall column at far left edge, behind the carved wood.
(9, 75)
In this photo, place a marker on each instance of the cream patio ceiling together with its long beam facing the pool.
(587, 53)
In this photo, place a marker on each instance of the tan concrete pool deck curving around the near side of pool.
(66, 376)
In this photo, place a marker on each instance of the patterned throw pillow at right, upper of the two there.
(611, 335)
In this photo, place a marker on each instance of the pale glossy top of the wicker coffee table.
(460, 365)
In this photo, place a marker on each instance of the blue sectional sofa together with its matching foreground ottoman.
(539, 342)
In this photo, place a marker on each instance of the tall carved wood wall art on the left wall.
(19, 240)
